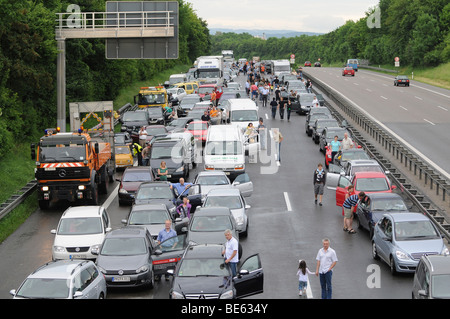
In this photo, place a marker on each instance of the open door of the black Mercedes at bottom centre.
(250, 278)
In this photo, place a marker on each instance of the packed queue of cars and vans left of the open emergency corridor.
(131, 255)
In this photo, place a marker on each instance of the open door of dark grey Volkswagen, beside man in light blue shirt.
(166, 255)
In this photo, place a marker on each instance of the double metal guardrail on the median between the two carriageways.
(411, 161)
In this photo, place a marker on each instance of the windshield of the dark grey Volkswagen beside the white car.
(123, 247)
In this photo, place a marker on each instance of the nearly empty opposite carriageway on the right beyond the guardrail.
(419, 114)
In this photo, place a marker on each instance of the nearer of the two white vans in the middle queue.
(224, 150)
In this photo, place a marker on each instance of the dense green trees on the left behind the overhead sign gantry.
(28, 64)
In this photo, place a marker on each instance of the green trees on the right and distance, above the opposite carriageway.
(417, 31)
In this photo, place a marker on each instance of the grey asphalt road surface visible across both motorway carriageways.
(285, 224)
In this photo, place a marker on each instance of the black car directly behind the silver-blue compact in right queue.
(367, 215)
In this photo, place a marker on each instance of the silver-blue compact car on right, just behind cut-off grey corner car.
(401, 239)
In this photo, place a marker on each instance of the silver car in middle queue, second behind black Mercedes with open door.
(233, 199)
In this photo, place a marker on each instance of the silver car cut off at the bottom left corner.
(63, 279)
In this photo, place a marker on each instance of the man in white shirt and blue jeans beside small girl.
(326, 260)
